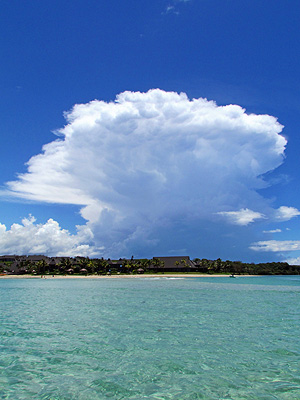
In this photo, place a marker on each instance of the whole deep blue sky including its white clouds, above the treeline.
(184, 177)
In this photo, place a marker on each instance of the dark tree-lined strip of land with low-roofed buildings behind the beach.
(43, 265)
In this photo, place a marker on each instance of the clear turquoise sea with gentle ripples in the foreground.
(150, 338)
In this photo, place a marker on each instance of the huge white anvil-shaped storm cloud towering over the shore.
(152, 163)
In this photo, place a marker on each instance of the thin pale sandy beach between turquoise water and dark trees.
(26, 276)
